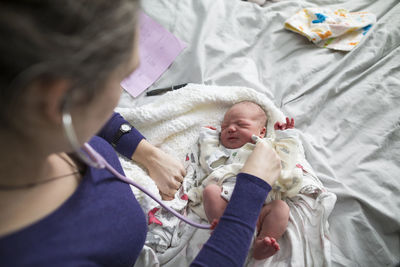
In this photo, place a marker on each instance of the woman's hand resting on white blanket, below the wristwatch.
(166, 171)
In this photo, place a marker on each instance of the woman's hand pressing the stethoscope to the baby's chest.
(263, 162)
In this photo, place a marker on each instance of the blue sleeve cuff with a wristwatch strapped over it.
(128, 143)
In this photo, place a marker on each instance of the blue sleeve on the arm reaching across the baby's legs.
(230, 242)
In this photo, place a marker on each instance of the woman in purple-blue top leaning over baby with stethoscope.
(68, 58)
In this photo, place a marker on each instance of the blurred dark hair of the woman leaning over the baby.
(82, 41)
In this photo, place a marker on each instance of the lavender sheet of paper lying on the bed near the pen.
(158, 48)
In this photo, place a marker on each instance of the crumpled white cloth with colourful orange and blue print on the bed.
(334, 29)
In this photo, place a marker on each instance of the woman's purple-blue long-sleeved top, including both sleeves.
(101, 223)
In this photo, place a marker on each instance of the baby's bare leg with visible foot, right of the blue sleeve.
(271, 225)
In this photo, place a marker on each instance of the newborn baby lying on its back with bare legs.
(240, 123)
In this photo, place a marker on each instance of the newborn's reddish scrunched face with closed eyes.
(239, 124)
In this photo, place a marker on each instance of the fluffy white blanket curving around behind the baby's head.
(173, 121)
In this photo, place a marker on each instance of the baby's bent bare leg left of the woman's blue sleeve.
(214, 204)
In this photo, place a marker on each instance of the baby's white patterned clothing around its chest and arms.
(220, 165)
